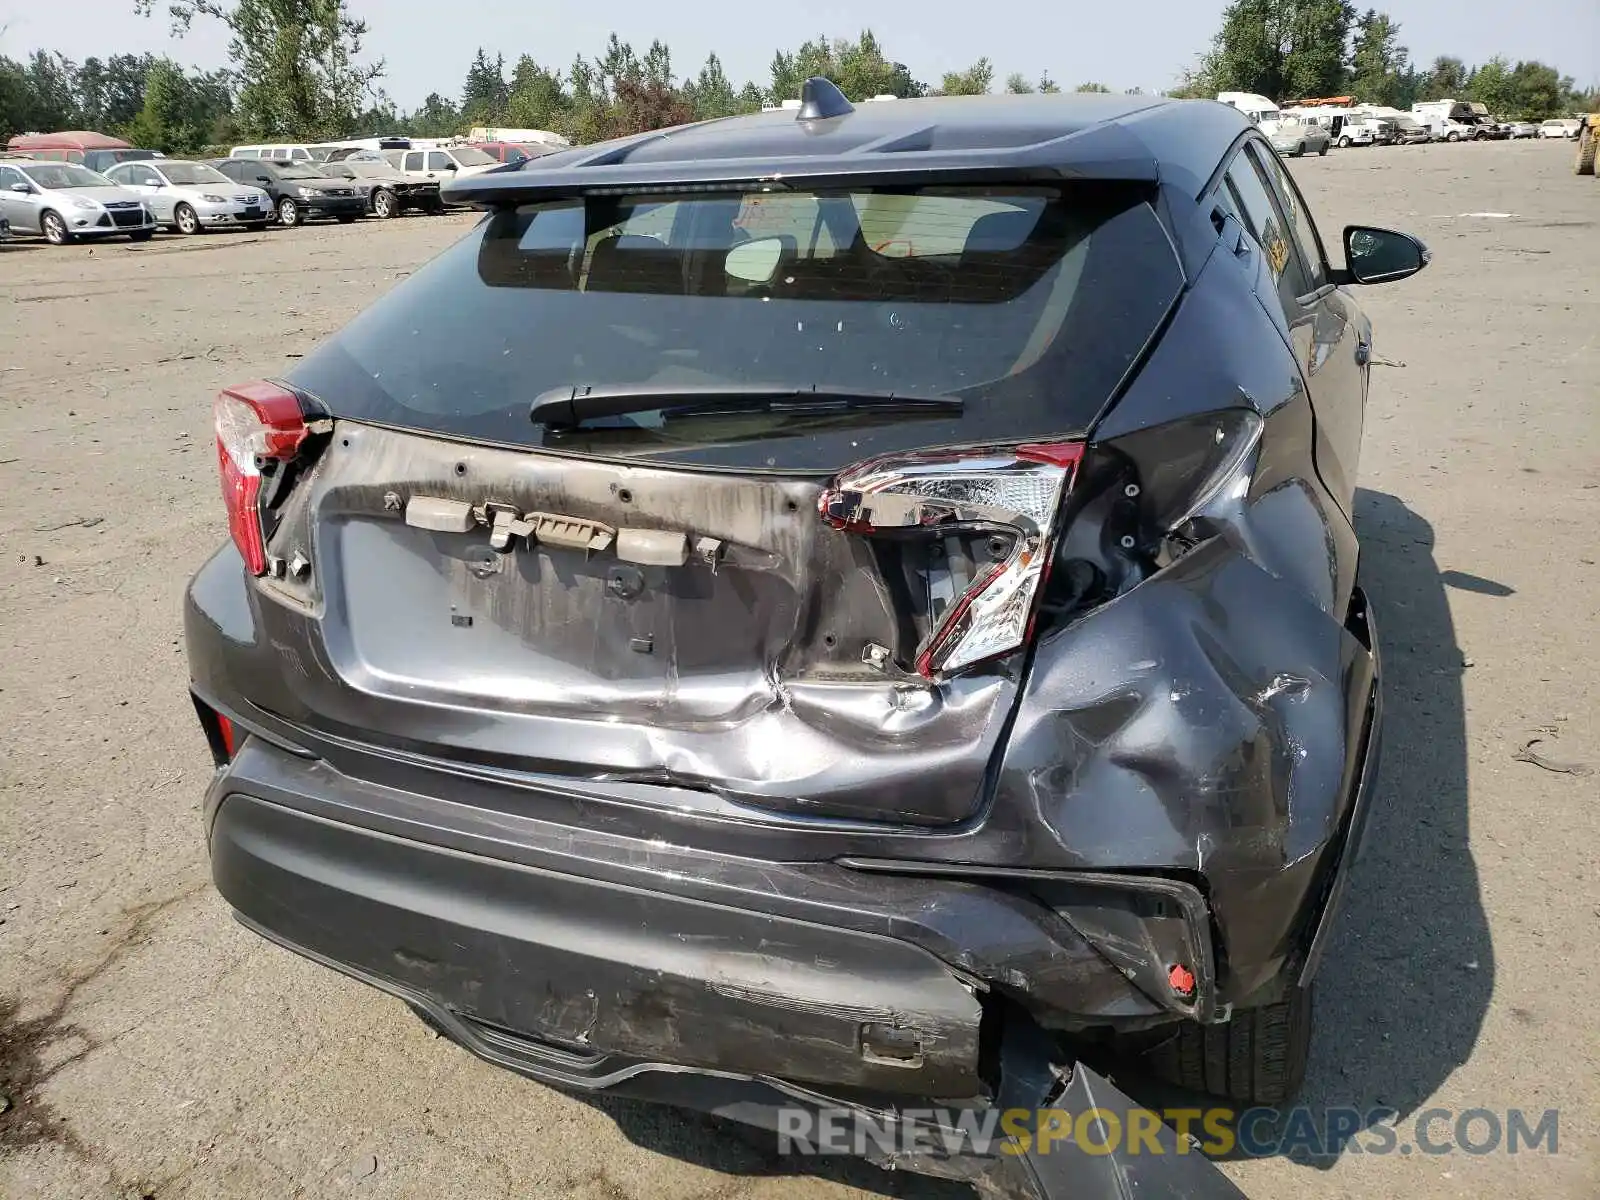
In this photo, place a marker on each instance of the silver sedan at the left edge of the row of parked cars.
(65, 202)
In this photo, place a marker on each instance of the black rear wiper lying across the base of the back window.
(572, 407)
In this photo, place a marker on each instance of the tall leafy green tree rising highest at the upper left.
(297, 62)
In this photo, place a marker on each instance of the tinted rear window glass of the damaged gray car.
(1028, 303)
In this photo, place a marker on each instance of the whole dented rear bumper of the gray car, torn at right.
(593, 985)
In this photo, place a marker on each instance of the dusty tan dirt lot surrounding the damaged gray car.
(150, 1047)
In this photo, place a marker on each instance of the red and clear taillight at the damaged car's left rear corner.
(255, 423)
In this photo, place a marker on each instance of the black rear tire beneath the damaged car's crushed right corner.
(1257, 1060)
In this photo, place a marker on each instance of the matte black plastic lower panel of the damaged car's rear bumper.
(596, 982)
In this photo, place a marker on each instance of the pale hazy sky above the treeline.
(428, 46)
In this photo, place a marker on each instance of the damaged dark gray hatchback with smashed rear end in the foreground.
(834, 607)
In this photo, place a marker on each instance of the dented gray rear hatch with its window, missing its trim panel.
(743, 492)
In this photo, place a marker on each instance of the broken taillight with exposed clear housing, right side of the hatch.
(1012, 494)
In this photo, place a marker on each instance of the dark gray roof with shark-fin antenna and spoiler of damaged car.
(1046, 137)
